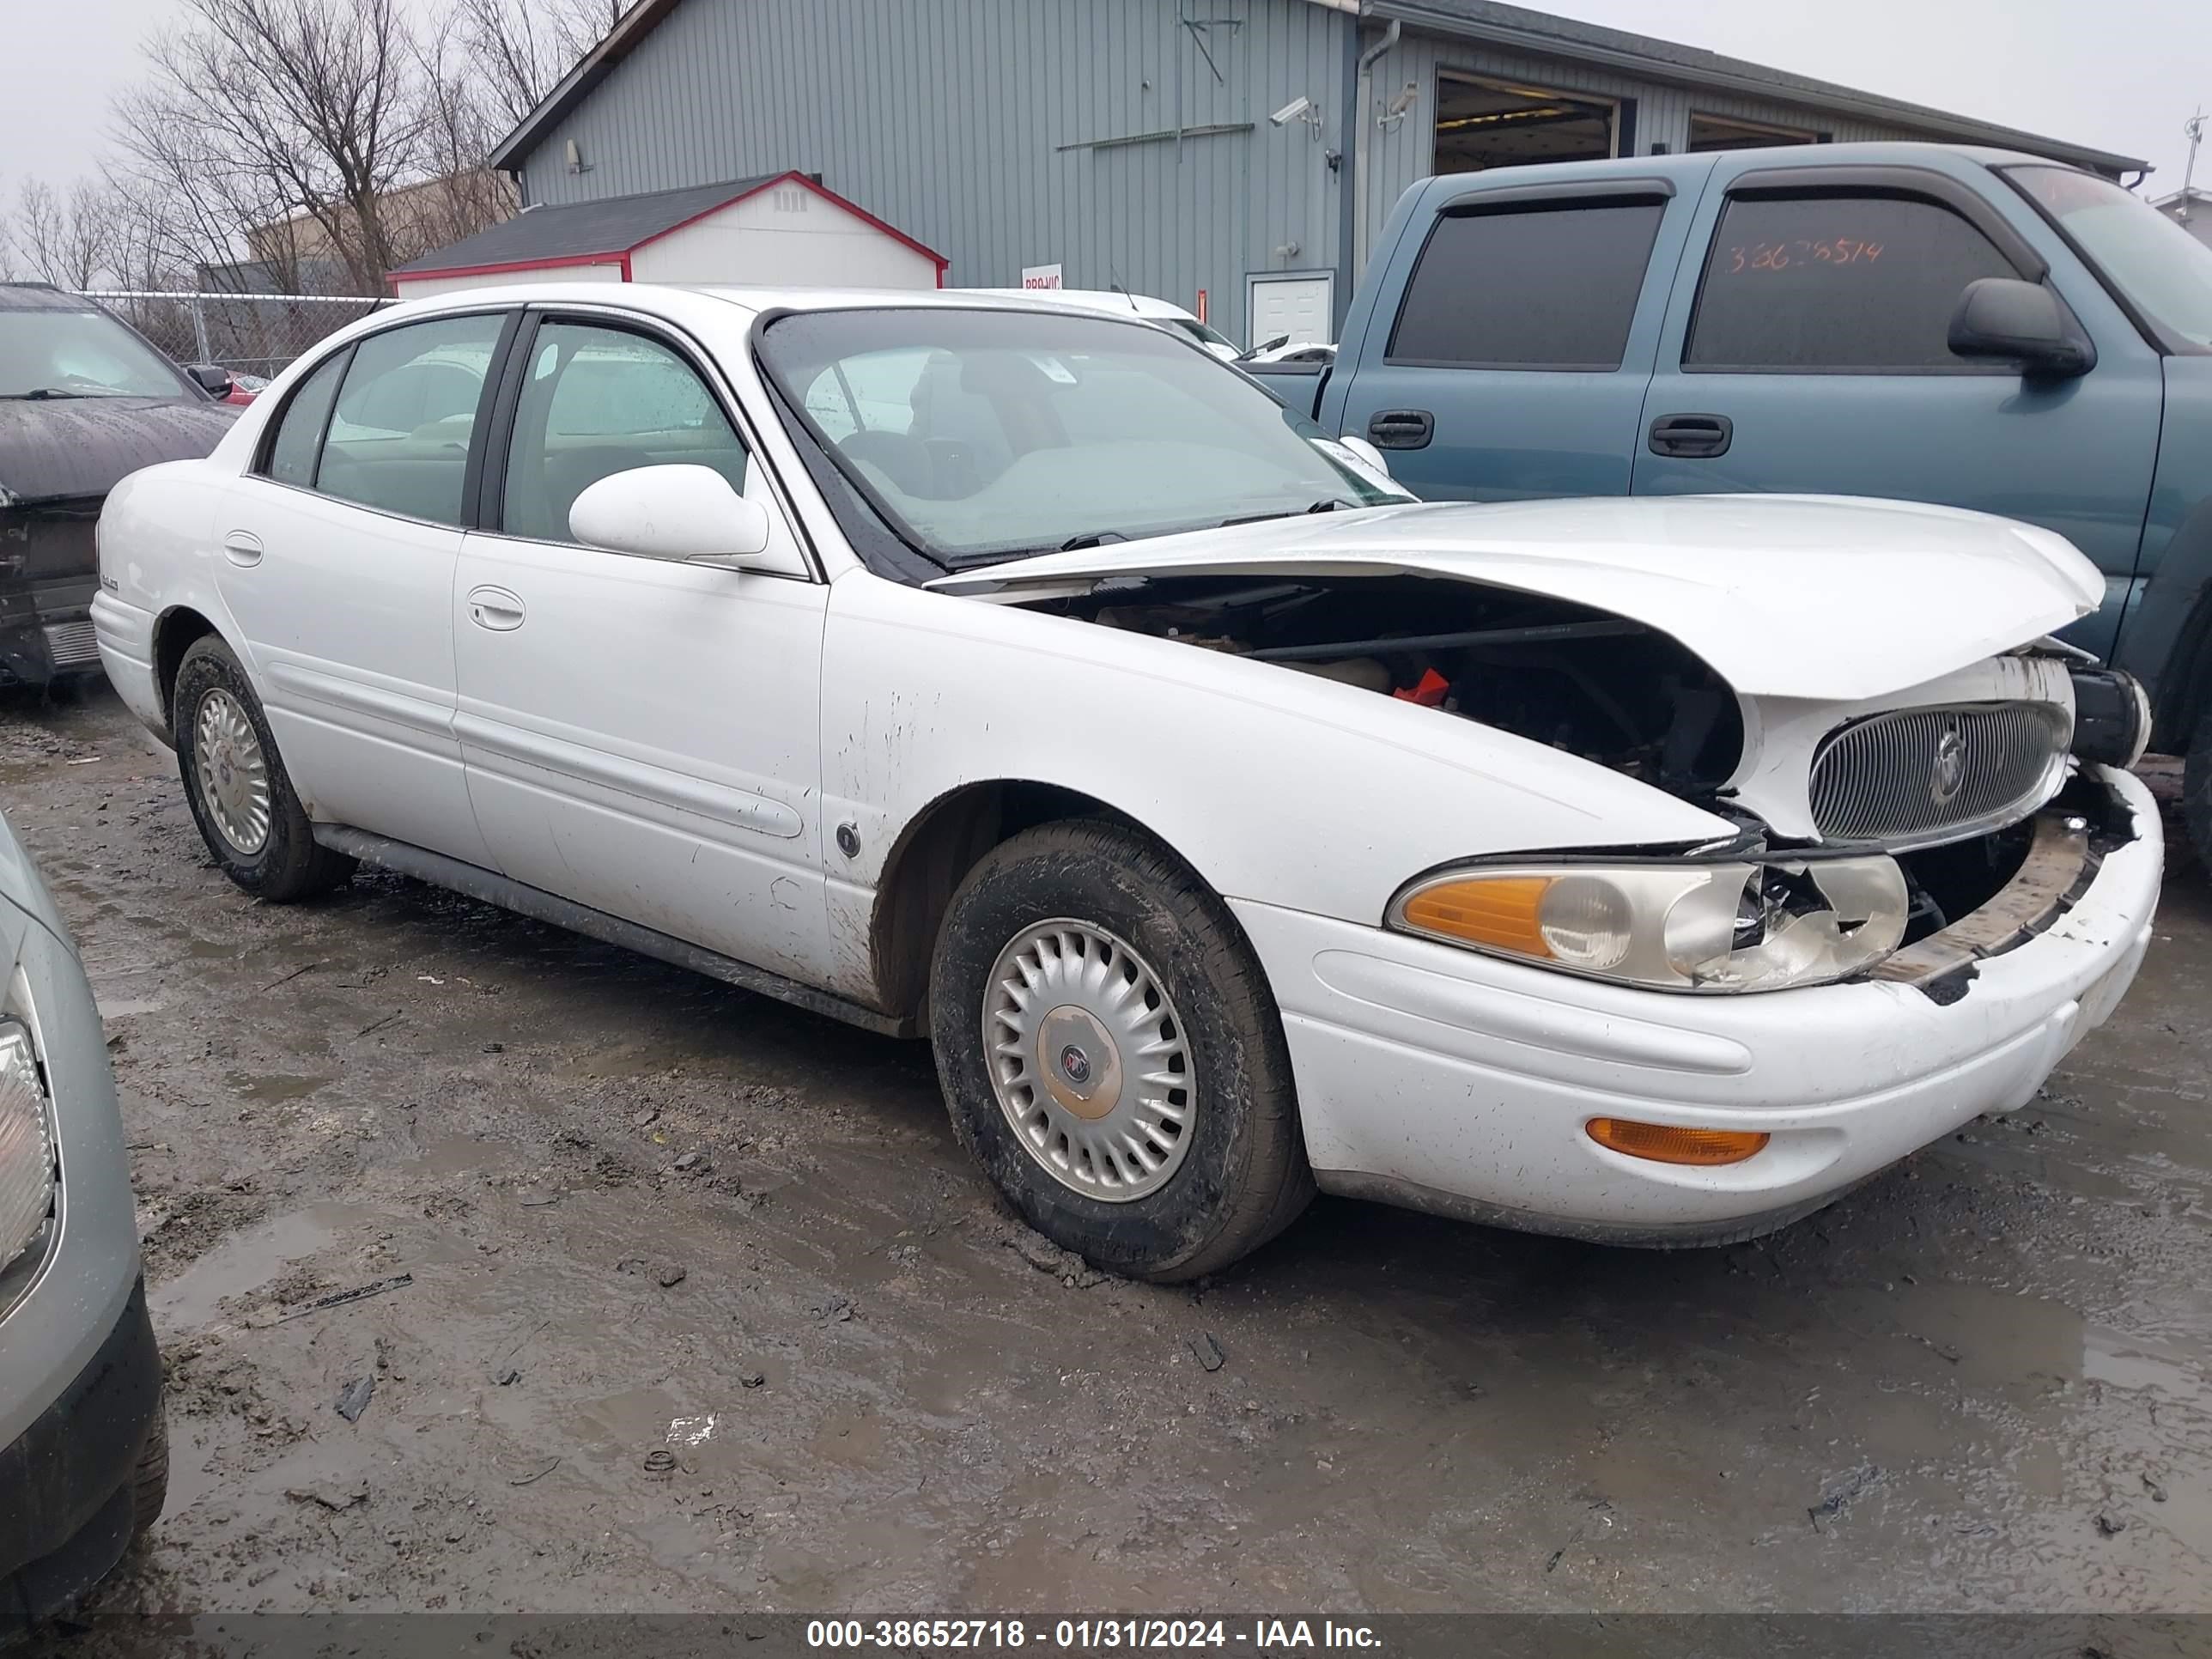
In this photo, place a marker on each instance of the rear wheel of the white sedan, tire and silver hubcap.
(238, 786)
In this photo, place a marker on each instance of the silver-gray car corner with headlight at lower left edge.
(83, 1443)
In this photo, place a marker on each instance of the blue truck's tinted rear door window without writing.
(1541, 289)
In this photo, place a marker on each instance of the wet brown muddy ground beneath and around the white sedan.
(707, 1311)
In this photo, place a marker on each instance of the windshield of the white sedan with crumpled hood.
(992, 435)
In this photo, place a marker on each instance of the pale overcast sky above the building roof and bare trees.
(2118, 74)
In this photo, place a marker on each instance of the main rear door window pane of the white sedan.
(406, 415)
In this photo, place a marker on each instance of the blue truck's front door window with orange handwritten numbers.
(1837, 282)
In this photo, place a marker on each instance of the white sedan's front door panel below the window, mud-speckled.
(643, 738)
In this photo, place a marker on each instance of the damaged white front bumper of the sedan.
(1457, 1083)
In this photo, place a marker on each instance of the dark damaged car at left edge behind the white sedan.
(83, 401)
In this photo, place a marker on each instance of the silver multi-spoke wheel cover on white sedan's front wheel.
(1089, 1061)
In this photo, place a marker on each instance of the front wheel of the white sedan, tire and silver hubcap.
(1112, 1054)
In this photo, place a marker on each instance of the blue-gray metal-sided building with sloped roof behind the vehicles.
(1231, 156)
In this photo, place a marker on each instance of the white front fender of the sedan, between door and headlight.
(1275, 786)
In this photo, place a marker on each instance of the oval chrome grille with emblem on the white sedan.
(1937, 773)
